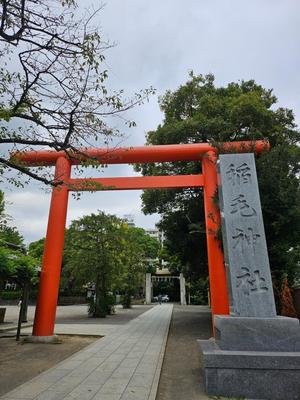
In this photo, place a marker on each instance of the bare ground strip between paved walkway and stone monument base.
(181, 376)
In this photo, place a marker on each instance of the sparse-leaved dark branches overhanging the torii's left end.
(53, 82)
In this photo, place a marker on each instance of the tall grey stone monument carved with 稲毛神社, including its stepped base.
(255, 353)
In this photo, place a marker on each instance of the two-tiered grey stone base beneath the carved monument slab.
(256, 358)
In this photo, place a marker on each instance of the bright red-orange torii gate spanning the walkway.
(50, 275)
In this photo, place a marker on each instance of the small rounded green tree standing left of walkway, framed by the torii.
(92, 253)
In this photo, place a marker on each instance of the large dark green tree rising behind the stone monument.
(201, 112)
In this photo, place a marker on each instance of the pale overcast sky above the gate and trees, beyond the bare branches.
(156, 44)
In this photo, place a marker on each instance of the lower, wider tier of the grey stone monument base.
(266, 375)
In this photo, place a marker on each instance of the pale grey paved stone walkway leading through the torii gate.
(125, 365)
